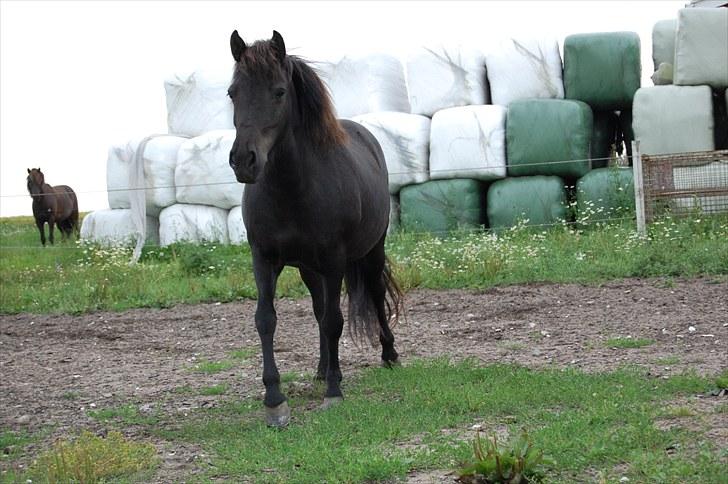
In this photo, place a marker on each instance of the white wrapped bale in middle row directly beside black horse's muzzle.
(203, 175)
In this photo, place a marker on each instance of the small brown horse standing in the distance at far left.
(55, 205)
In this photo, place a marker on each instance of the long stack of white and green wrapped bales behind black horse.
(471, 137)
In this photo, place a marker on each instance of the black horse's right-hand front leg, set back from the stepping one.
(333, 325)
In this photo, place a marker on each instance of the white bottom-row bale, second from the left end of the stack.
(193, 223)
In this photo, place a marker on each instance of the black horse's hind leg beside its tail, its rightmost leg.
(374, 279)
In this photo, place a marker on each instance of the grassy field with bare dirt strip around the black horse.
(604, 346)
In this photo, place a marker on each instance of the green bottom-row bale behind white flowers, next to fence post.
(605, 193)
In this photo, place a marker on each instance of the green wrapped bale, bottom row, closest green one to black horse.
(440, 206)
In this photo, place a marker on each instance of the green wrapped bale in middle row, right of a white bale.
(542, 132)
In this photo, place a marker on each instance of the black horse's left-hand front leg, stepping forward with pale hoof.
(266, 277)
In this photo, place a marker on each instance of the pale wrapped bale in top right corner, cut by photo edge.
(701, 47)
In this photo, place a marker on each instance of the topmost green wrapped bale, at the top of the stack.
(602, 69)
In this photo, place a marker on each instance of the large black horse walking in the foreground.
(317, 200)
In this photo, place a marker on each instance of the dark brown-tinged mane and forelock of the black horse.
(316, 112)
